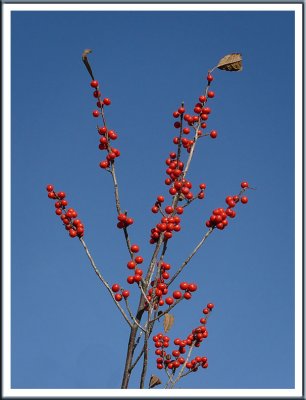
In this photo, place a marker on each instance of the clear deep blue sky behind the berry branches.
(66, 332)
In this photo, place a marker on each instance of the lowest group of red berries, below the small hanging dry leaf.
(174, 359)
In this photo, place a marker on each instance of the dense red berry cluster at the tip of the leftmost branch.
(73, 225)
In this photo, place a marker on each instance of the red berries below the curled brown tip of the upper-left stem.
(107, 135)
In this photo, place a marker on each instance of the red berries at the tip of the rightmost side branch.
(218, 219)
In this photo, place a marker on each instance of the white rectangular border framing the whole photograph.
(6, 211)
